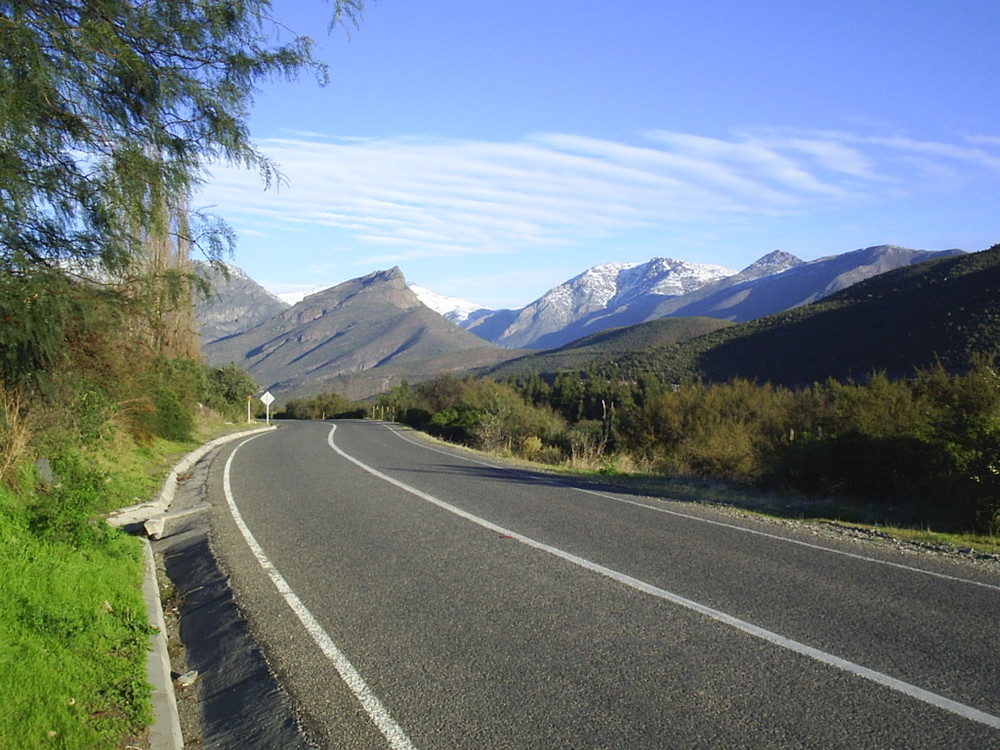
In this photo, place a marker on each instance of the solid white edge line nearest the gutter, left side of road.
(393, 733)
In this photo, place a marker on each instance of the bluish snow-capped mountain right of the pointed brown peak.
(608, 286)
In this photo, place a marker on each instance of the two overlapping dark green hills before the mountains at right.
(945, 310)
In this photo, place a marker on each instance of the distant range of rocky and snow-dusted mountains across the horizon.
(368, 334)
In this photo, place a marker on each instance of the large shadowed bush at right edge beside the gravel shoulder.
(931, 444)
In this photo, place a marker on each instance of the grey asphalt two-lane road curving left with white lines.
(410, 595)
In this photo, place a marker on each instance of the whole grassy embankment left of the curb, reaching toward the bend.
(73, 627)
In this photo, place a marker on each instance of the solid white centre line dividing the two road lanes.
(926, 696)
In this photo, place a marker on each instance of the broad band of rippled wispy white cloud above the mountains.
(415, 197)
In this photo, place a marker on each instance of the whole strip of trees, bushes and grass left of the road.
(110, 111)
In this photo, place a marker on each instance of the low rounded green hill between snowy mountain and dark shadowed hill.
(610, 344)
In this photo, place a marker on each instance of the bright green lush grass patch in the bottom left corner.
(74, 636)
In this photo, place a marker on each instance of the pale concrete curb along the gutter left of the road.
(165, 732)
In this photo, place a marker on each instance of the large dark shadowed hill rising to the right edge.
(942, 309)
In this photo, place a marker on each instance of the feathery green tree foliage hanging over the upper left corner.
(110, 112)
